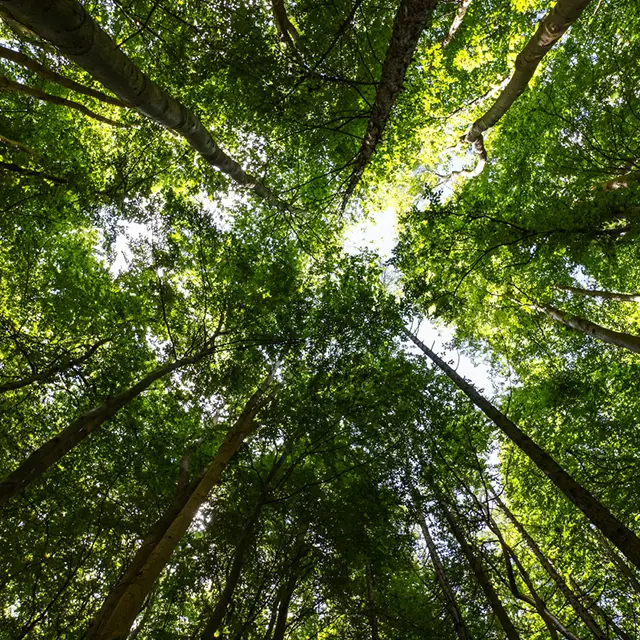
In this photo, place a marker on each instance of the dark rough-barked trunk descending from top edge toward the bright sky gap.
(409, 22)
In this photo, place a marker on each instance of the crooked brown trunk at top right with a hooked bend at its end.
(550, 30)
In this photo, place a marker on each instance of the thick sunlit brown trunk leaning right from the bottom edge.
(123, 603)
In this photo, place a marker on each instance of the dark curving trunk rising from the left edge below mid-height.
(49, 453)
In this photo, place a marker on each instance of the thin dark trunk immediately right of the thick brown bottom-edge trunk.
(242, 547)
